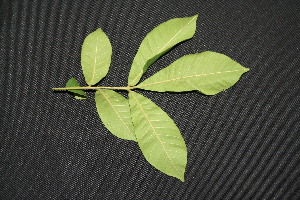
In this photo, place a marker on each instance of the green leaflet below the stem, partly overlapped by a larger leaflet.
(114, 112)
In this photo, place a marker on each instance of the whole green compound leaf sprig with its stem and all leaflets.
(138, 118)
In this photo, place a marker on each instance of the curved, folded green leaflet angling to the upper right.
(157, 42)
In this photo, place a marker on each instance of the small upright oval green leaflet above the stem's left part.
(95, 56)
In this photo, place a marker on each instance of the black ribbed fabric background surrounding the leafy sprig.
(242, 143)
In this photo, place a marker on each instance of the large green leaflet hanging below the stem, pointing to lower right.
(158, 136)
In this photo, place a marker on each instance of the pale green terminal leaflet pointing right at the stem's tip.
(207, 72)
